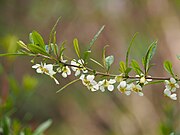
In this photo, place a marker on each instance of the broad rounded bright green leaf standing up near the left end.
(37, 39)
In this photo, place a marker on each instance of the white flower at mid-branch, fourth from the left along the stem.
(89, 82)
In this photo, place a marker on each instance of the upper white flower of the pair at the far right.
(171, 84)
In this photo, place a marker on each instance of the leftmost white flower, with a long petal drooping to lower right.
(46, 69)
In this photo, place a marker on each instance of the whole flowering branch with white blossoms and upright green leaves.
(124, 82)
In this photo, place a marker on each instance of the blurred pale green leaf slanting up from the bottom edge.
(41, 128)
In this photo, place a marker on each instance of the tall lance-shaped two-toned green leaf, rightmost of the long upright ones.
(150, 53)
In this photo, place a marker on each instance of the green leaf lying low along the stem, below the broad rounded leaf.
(36, 49)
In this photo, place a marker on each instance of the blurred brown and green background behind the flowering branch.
(31, 98)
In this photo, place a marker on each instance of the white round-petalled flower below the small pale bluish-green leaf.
(106, 84)
